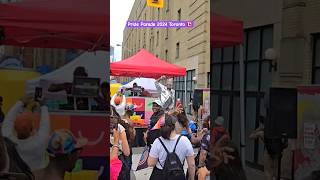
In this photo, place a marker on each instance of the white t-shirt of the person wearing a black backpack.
(184, 149)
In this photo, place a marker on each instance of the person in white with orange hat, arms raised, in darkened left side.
(18, 126)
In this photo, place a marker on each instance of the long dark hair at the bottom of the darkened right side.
(231, 171)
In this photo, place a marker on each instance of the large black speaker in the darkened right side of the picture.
(282, 113)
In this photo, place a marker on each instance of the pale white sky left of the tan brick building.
(119, 14)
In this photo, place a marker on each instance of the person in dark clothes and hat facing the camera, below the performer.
(153, 132)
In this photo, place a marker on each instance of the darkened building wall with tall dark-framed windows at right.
(291, 28)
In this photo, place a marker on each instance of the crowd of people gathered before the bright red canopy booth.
(171, 139)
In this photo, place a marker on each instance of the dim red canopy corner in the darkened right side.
(225, 31)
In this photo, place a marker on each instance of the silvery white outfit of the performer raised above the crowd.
(167, 96)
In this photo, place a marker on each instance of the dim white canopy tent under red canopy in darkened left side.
(95, 64)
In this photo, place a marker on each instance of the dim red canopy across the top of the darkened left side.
(79, 24)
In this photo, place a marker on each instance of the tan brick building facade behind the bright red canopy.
(187, 47)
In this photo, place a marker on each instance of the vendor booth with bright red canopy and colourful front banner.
(146, 65)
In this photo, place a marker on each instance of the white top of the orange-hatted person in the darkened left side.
(33, 149)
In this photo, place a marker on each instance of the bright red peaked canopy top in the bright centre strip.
(145, 64)
